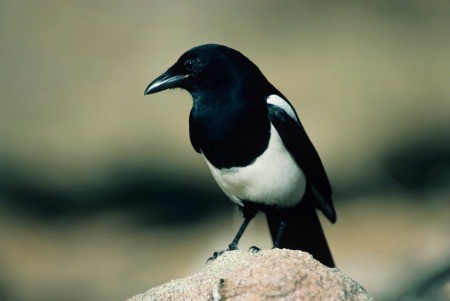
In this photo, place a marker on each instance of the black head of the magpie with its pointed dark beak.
(207, 67)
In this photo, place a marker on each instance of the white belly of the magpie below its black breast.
(273, 179)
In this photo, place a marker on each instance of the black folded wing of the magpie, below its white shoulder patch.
(298, 144)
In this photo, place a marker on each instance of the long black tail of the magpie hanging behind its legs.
(303, 230)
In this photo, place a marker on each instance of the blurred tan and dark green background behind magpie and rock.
(102, 196)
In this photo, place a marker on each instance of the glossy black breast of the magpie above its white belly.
(230, 136)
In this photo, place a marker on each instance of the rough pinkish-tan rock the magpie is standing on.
(277, 274)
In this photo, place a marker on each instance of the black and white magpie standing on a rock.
(255, 146)
